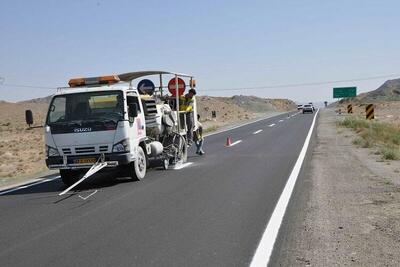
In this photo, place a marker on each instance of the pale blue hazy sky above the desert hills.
(225, 44)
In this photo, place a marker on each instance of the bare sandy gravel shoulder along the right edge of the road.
(347, 213)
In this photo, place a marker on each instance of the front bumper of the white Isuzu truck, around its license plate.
(70, 162)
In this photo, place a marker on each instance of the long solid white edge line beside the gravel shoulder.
(264, 250)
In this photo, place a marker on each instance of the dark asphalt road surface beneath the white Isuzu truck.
(211, 213)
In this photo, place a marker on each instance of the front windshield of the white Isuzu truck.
(96, 107)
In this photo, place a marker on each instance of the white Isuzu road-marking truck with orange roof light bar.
(108, 122)
